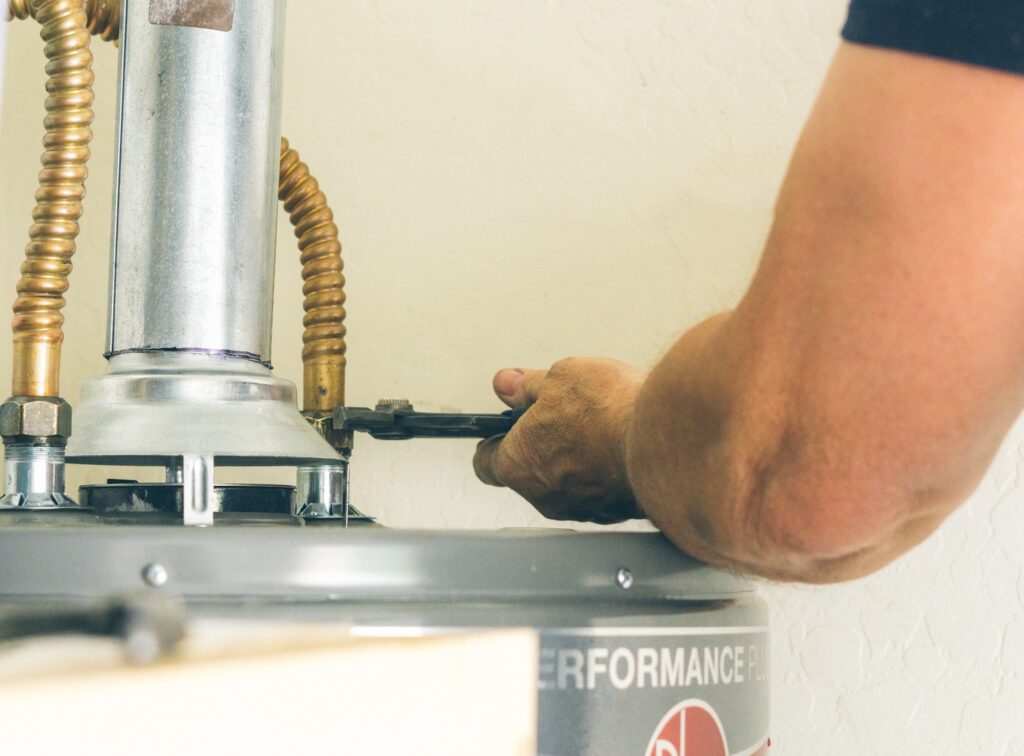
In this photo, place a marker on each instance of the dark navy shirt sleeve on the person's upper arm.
(987, 33)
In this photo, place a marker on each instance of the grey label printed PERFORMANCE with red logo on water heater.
(654, 692)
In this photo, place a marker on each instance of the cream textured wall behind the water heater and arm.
(522, 182)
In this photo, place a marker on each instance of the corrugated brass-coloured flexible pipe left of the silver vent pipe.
(38, 319)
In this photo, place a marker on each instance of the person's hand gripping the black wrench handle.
(567, 454)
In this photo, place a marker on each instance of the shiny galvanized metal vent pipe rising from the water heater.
(195, 219)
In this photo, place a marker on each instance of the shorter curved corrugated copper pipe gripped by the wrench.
(324, 340)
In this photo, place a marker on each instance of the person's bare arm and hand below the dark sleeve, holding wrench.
(862, 388)
